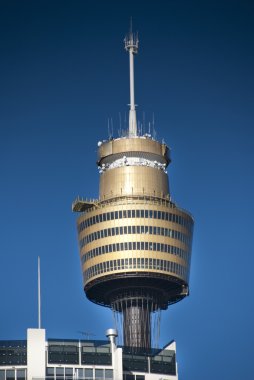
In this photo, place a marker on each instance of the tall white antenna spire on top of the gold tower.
(131, 45)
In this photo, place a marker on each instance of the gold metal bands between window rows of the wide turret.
(126, 205)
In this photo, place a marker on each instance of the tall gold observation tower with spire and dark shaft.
(135, 242)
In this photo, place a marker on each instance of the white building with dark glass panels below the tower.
(67, 359)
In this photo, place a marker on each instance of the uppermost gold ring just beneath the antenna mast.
(136, 144)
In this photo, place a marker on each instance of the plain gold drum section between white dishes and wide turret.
(133, 180)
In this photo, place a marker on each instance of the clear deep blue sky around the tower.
(63, 73)
